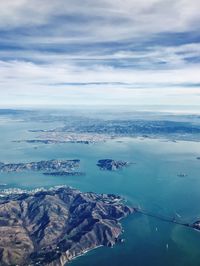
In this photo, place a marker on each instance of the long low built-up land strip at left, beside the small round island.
(49, 166)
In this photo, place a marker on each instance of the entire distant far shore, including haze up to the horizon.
(92, 127)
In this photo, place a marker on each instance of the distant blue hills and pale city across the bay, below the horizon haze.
(88, 130)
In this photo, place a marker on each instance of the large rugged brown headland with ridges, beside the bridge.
(53, 226)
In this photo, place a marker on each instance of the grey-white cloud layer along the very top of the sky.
(101, 20)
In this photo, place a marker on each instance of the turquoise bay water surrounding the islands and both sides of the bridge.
(151, 182)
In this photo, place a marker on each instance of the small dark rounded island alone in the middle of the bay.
(111, 165)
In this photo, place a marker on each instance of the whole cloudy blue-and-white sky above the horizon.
(102, 52)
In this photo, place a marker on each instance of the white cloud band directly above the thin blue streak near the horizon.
(30, 73)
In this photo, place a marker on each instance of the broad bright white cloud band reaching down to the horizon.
(27, 82)
